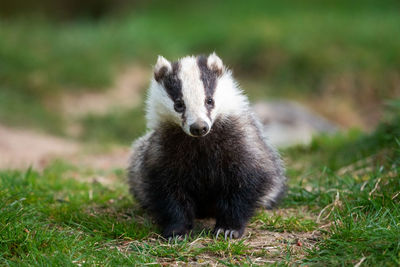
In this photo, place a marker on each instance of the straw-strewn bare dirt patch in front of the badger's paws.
(257, 246)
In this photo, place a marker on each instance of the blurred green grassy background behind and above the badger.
(341, 58)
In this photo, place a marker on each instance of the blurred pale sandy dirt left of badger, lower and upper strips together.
(20, 148)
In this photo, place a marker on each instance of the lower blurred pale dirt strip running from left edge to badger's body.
(21, 148)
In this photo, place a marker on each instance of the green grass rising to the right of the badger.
(357, 191)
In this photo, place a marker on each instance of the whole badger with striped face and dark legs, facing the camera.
(205, 154)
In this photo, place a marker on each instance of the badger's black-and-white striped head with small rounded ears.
(192, 93)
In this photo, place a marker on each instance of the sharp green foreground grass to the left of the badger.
(48, 219)
